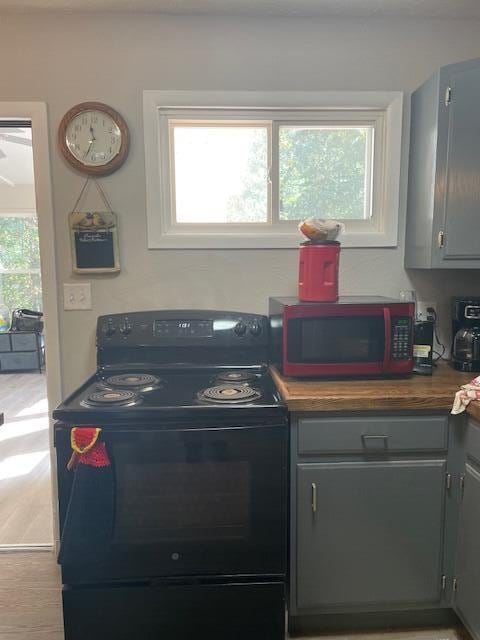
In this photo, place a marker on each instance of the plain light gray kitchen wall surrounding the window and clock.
(67, 59)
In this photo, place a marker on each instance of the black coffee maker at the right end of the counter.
(466, 334)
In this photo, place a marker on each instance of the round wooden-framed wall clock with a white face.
(94, 138)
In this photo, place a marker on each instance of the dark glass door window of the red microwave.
(336, 339)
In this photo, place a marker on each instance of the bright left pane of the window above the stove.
(219, 172)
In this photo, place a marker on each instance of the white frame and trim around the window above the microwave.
(382, 109)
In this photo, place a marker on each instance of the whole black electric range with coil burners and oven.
(185, 531)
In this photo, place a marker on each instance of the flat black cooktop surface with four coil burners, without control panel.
(125, 395)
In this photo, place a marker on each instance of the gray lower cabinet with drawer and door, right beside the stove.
(368, 512)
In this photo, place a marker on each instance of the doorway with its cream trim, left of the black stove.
(27, 281)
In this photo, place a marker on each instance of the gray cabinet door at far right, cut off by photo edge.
(467, 597)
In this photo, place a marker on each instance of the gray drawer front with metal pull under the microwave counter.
(372, 434)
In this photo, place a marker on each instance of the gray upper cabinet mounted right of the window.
(443, 211)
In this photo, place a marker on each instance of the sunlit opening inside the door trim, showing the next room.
(25, 471)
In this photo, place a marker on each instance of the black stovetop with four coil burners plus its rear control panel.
(196, 365)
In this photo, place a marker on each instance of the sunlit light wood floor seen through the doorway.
(25, 477)
